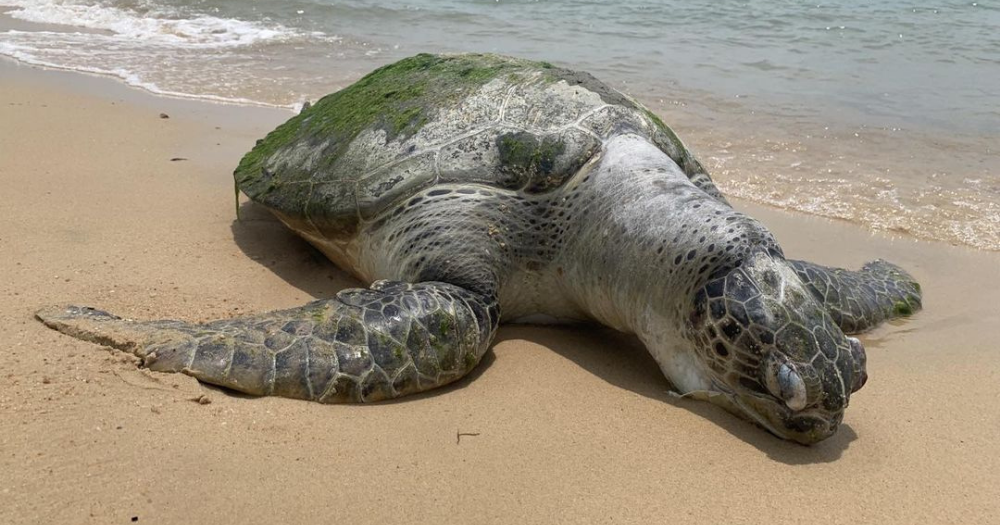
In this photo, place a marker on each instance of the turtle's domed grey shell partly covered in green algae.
(510, 123)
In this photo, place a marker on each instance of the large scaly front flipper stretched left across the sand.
(389, 341)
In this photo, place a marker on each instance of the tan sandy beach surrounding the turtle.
(571, 425)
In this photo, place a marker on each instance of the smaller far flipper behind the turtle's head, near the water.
(860, 300)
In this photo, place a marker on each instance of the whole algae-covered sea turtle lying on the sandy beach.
(475, 189)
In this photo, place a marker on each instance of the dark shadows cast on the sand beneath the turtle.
(617, 358)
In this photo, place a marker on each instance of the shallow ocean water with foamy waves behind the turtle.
(884, 113)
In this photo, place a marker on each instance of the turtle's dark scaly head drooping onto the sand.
(773, 351)
